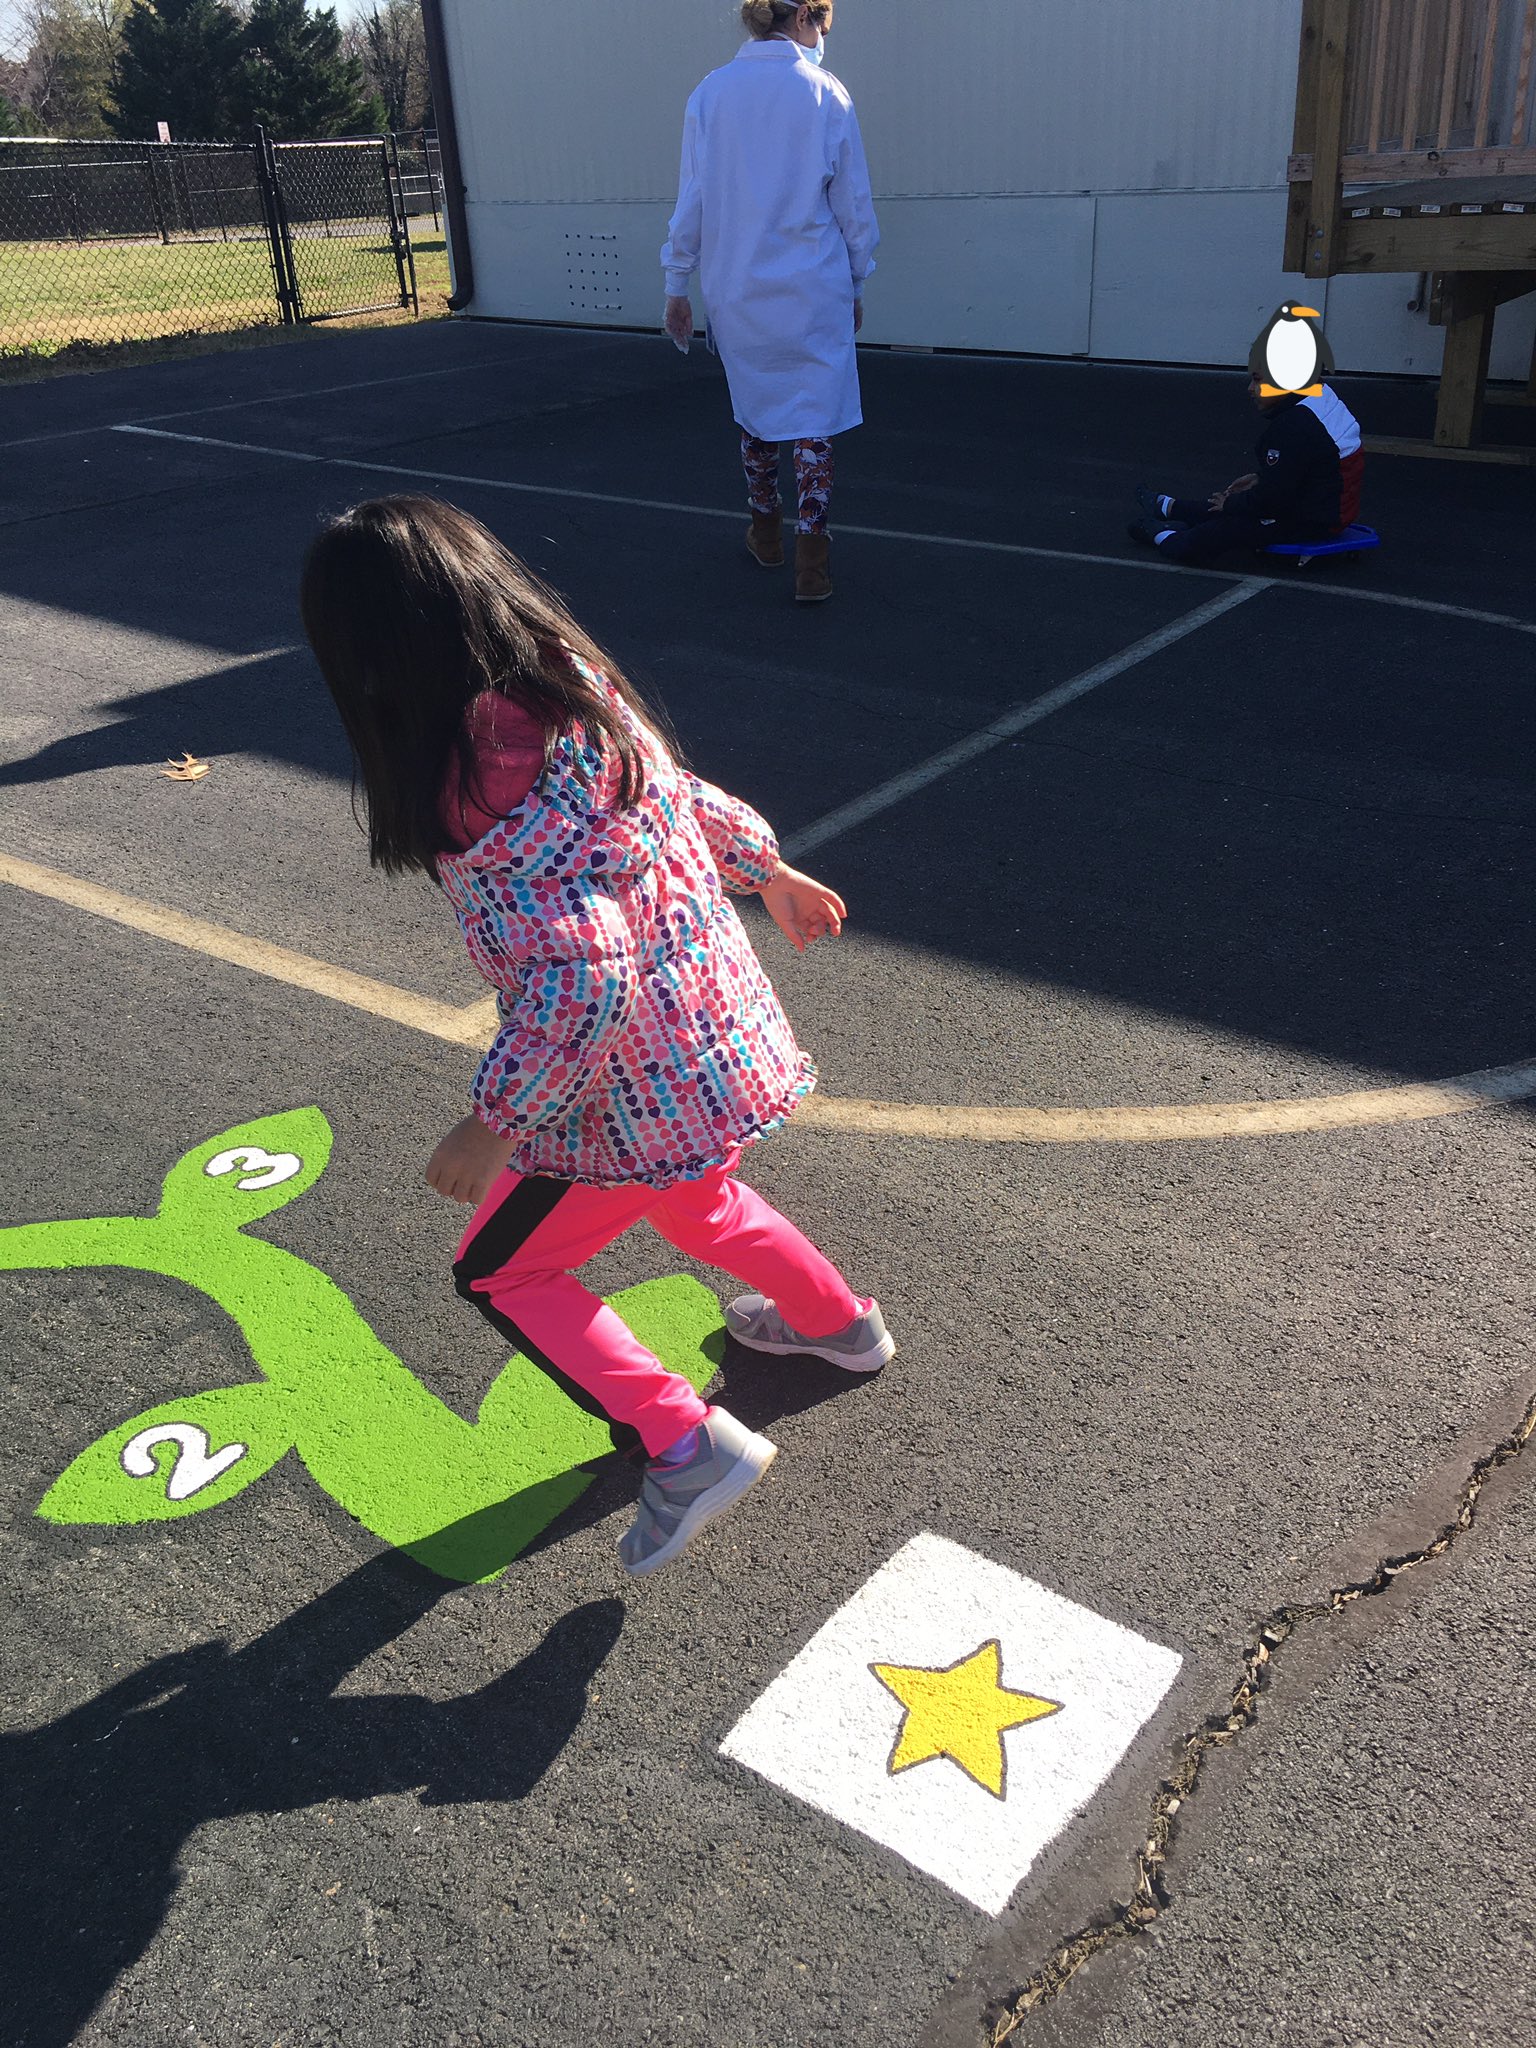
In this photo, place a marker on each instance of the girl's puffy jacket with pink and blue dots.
(640, 1035)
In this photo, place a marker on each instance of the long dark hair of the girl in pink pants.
(413, 609)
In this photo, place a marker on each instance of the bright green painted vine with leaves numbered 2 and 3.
(462, 1498)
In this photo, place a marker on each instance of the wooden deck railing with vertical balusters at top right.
(1435, 85)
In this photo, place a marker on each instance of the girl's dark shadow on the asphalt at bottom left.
(103, 1799)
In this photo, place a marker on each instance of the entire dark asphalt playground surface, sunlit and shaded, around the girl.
(275, 1779)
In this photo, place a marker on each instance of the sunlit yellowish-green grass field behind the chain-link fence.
(62, 300)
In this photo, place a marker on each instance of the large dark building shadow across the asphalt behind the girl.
(1310, 826)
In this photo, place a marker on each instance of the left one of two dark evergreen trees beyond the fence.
(181, 62)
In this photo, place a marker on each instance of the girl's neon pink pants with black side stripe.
(517, 1258)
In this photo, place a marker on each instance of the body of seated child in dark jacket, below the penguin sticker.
(1306, 486)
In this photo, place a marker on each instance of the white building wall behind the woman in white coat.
(1054, 177)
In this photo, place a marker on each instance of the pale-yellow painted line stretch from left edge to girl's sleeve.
(382, 1000)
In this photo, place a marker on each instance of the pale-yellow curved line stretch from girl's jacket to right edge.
(1363, 1109)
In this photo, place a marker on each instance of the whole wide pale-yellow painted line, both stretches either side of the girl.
(476, 1023)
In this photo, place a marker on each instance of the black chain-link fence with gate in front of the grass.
(110, 243)
